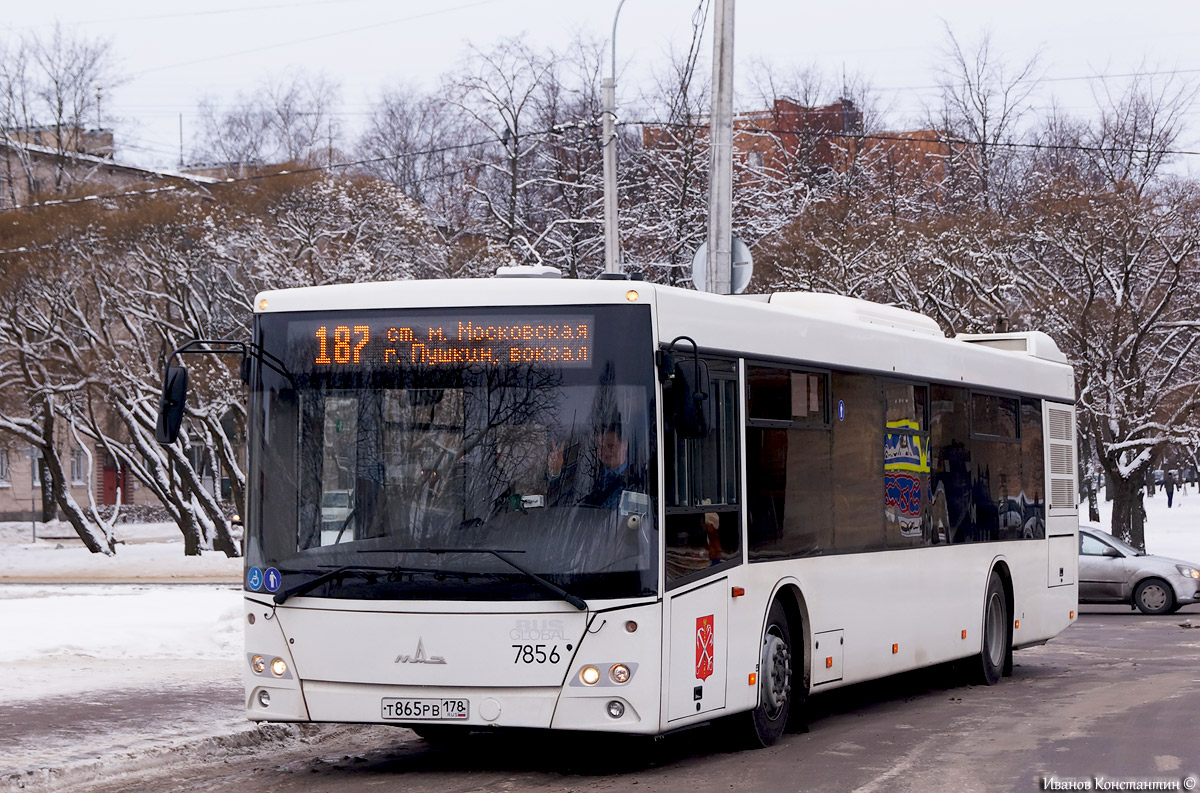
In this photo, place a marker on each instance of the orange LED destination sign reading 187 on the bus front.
(343, 343)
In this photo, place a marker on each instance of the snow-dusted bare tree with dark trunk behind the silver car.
(1114, 275)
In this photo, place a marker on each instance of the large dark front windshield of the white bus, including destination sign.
(423, 448)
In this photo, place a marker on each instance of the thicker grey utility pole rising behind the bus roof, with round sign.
(721, 172)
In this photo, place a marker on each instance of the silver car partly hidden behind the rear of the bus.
(1112, 572)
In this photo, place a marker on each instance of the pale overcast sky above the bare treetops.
(175, 55)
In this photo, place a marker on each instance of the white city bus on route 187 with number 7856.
(621, 507)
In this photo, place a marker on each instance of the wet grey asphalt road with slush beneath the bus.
(1115, 698)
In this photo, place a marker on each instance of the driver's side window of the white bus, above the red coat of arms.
(703, 488)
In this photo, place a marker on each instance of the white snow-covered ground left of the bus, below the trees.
(74, 621)
